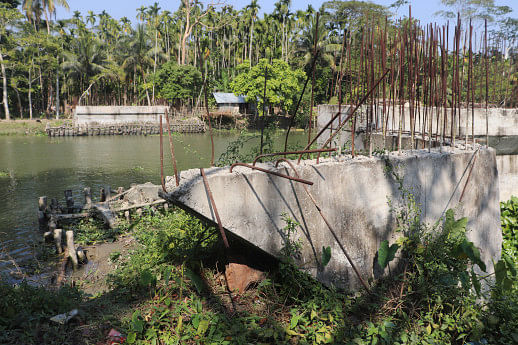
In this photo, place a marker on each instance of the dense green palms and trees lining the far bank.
(96, 59)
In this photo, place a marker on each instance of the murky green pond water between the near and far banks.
(34, 166)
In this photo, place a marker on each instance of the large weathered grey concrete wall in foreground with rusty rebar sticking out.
(353, 194)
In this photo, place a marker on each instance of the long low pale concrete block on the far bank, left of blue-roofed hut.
(111, 115)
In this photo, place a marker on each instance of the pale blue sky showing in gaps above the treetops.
(421, 9)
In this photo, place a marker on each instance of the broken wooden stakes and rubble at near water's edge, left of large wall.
(111, 204)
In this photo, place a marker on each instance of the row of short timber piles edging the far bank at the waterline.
(190, 126)
